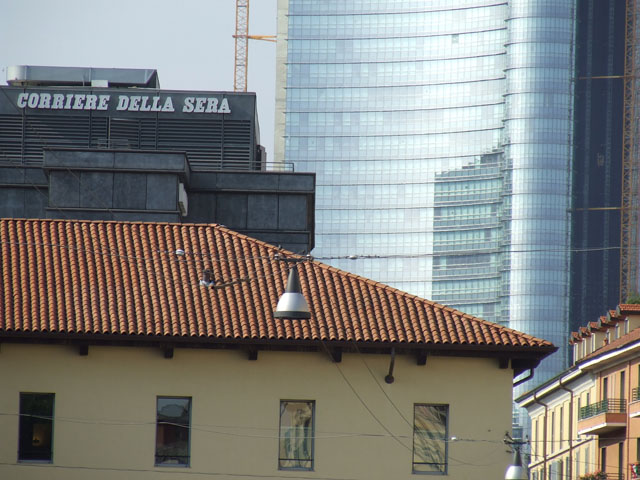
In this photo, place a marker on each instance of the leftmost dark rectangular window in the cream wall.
(36, 427)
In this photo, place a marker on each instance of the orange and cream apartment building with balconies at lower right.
(587, 419)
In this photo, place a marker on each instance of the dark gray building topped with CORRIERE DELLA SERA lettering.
(110, 144)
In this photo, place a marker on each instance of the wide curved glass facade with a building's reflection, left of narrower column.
(399, 106)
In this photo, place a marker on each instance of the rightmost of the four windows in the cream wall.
(430, 429)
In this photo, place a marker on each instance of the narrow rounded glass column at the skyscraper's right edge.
(538, 145)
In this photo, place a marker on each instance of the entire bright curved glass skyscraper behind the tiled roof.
(441, 135)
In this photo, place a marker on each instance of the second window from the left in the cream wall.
(173, 429)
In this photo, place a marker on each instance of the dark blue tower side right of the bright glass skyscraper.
(597, 165)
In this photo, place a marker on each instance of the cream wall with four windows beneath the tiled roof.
(104, 425)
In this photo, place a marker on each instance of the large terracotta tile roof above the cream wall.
(106, 278)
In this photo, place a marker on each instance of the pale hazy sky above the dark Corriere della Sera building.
(189, 42)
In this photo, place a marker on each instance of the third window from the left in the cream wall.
(296, 435)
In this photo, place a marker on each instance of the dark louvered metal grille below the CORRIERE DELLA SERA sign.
(209, 144)
